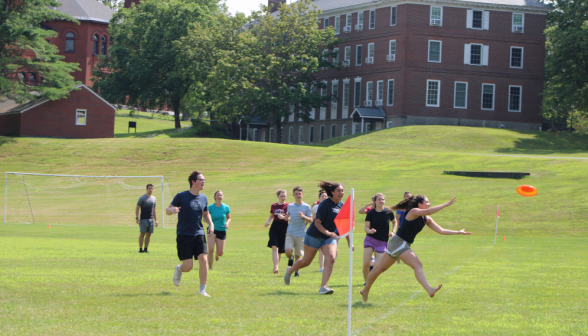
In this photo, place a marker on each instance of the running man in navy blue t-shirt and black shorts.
(191, 207)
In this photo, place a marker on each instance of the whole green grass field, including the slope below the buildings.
(88, 278)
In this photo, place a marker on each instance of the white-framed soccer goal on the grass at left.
(80, 200)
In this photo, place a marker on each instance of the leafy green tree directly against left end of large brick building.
(272, 66)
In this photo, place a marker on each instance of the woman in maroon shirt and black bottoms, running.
(277, 233)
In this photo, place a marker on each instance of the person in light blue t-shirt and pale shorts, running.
(298, 215)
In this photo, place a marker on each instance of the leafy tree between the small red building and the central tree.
(144, 68)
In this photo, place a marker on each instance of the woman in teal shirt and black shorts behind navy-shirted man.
(221, 217)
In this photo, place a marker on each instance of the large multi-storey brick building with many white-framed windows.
(472, 63)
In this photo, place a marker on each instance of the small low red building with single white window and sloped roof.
(83, 114)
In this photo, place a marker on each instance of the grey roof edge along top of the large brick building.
(450, 3)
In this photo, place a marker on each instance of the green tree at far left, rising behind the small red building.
(23, 48)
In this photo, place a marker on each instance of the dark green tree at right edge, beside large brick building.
(566, 70)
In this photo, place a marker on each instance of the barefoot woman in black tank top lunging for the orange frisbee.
(418, 211)
